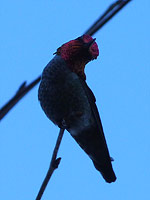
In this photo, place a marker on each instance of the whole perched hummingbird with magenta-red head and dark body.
(68, 101)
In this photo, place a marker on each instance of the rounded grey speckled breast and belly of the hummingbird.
(62, 96)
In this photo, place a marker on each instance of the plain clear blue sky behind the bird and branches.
(30, 32)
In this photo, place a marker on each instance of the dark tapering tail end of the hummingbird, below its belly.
(96, 148)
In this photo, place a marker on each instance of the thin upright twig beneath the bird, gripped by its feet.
(53, 165)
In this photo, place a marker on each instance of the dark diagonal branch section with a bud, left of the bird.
(23, 90)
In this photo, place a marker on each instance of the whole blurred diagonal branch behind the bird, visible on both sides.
(110, 12)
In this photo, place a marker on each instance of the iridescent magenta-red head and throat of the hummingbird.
(78, 52)
